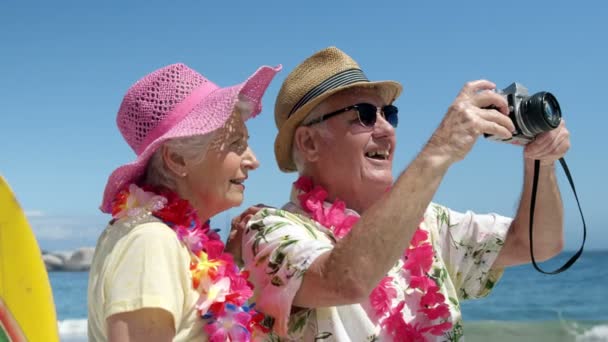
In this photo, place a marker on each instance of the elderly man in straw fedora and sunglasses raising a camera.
(354, 256)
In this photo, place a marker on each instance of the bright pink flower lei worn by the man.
(432, 313)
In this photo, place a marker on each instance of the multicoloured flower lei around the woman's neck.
(224, 290)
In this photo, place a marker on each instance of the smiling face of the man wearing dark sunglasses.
(354, 160)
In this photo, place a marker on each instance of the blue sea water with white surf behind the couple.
(524, 306)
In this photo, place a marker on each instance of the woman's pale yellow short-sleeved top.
(142, 264)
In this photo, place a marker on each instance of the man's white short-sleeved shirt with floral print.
(280, 245)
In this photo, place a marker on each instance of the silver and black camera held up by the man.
(531, 115)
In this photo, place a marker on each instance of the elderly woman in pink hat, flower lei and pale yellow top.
(159, 272)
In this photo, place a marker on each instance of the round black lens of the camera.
(540, 113)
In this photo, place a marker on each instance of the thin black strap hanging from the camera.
(575, 257)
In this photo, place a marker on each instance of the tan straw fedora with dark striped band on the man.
(320, 76)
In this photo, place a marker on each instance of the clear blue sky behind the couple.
(64, 67)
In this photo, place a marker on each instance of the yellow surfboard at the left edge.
(27, 310)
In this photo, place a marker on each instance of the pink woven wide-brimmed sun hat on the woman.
(174, 102)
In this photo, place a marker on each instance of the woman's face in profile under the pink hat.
(217, 182)
